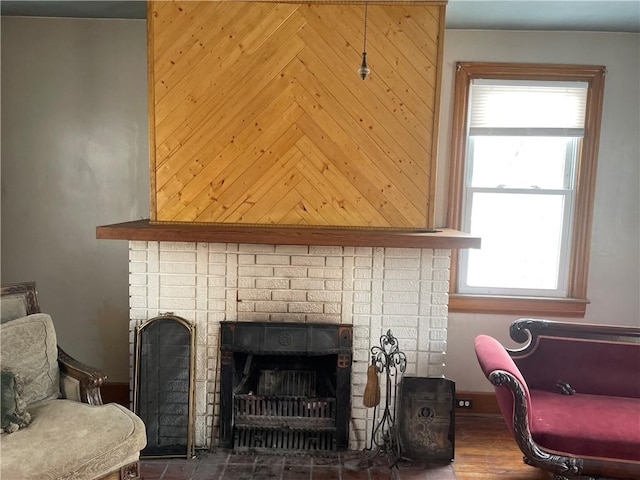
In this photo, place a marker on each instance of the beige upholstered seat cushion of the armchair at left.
(72, 440)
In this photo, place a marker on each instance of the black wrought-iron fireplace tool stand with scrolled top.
(391, 363)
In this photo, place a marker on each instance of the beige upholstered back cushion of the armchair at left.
(29, 350)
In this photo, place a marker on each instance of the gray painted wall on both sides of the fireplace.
(74, 156)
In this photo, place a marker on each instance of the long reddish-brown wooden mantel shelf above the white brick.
(145, 230)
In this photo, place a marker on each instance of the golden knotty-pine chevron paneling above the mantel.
(257, 114)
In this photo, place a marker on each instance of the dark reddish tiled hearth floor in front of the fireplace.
(225, 465)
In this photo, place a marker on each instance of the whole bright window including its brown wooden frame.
(525, 141)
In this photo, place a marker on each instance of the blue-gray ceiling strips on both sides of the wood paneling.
(576, 15)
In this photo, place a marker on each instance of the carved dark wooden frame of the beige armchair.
(78, 380)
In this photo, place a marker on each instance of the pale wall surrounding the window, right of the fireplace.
(614, 284)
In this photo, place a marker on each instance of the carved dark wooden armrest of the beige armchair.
(79, 381)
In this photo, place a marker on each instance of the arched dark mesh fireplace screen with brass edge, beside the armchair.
(164, 385)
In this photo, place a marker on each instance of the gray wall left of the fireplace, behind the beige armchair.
(74, 156)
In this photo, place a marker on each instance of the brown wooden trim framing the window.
(575, 303)
